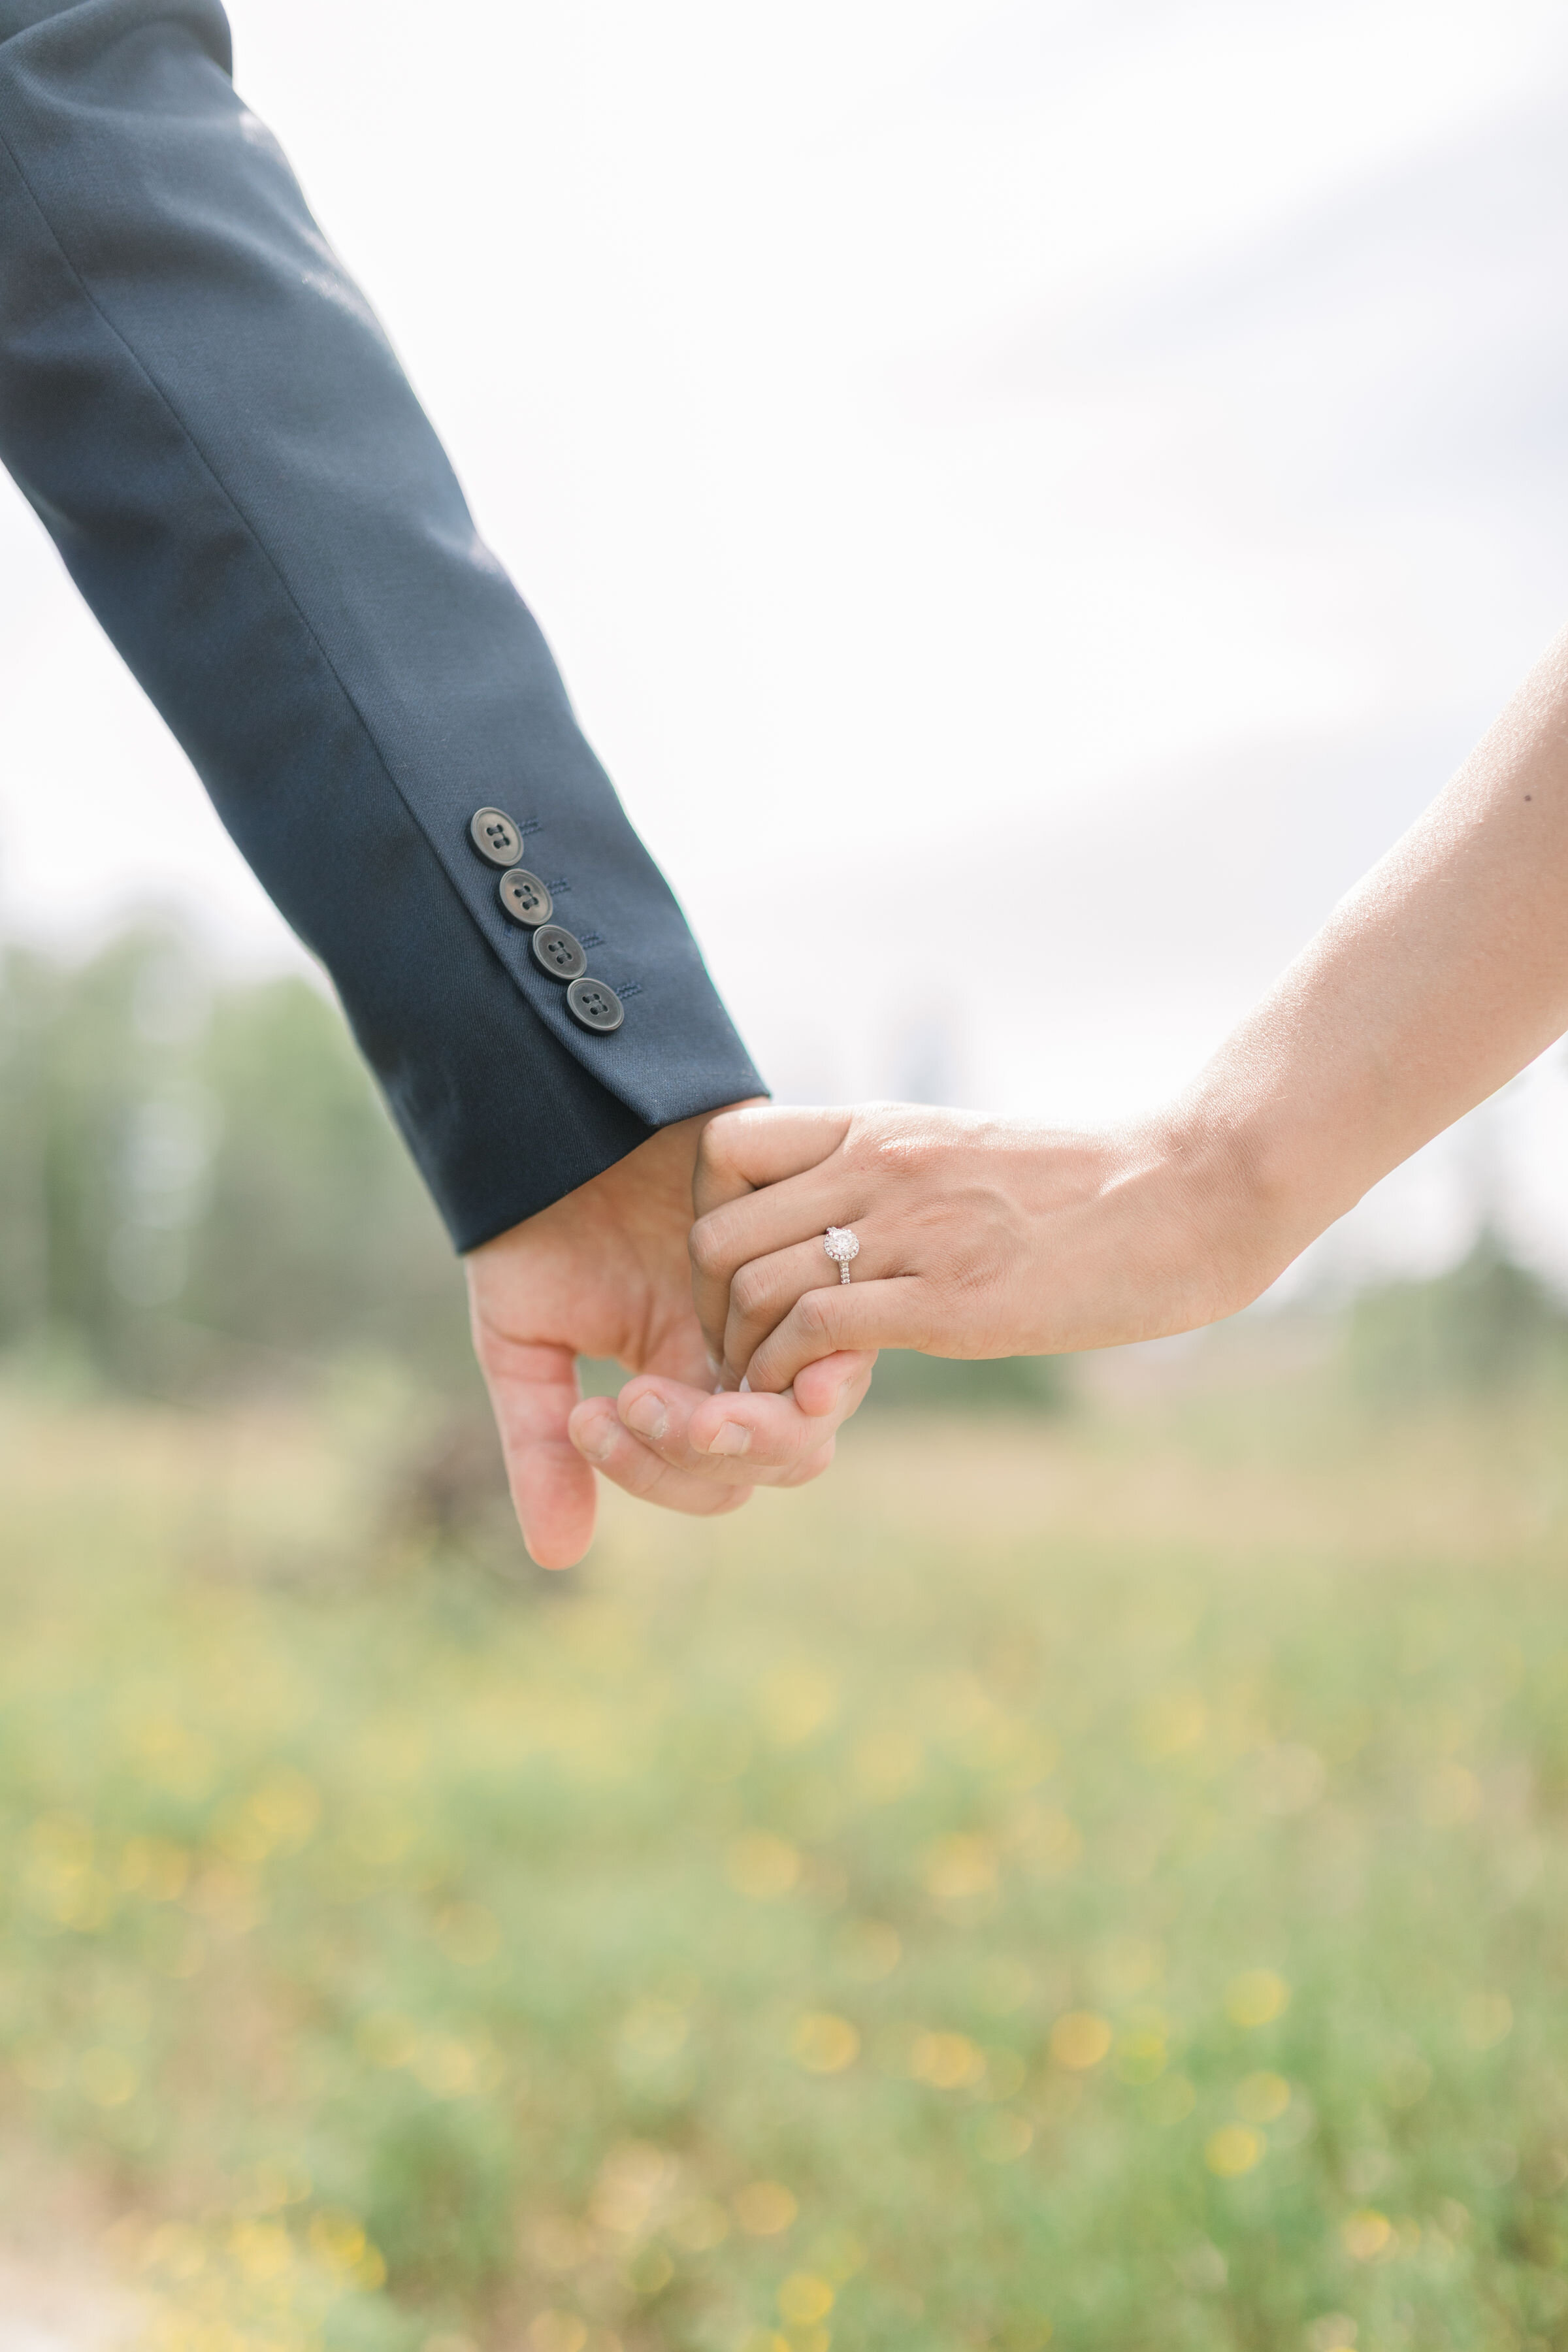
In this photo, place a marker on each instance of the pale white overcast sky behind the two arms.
(1028, 500)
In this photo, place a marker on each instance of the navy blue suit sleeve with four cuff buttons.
(213, 427)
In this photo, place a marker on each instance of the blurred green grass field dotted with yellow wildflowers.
(1087, 1883)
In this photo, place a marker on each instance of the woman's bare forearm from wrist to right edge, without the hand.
(1438, 980)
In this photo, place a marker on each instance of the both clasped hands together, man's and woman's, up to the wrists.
(977, 1238)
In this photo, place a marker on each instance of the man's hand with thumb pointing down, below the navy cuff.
(605, 1274)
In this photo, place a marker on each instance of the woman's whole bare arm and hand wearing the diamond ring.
(1428, 989)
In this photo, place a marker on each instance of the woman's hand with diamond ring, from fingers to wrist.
(977, 1236)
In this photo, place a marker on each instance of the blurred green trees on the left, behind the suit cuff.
(201, 1187)
